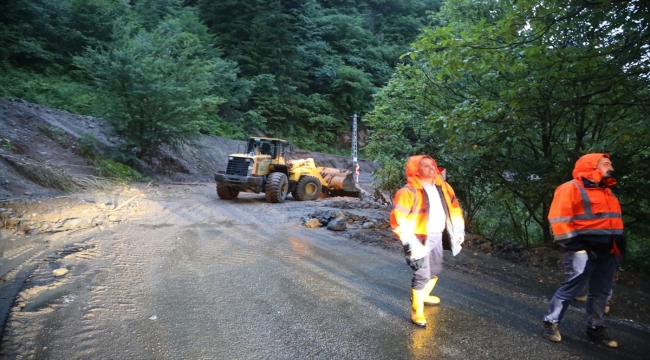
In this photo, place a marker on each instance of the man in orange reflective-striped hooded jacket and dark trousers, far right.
(586, 220)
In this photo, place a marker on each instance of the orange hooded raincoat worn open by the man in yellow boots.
(409, 216)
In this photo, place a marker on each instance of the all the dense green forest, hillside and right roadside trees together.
(504, 94)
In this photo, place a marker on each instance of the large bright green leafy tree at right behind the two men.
(515, 92)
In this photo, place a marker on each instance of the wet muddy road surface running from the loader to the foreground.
(191, 276)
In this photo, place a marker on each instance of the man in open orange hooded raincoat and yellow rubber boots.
(427, 218)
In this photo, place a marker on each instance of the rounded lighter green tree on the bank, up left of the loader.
(159, 84)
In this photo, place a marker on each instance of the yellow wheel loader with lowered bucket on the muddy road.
(265, 167)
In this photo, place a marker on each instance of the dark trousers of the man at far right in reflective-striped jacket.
(580, 271)
